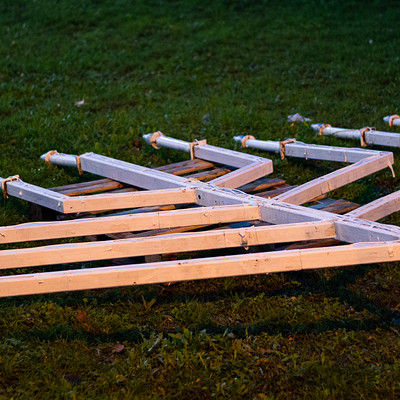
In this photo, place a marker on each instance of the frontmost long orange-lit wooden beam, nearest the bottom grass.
(205, 268)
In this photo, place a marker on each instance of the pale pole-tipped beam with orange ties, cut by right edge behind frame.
(366, 135)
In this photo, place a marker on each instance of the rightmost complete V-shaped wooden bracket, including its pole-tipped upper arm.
(364, 162)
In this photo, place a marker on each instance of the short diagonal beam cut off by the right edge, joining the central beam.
(379, 208)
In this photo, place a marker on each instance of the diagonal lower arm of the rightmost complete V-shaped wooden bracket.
(304, 193)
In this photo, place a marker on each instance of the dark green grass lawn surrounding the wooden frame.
(199, 69)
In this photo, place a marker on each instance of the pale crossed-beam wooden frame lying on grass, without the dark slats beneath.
(281, 220)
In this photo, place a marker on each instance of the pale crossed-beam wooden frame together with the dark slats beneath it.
(220, 199)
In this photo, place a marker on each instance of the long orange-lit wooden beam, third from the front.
(127, 223)
